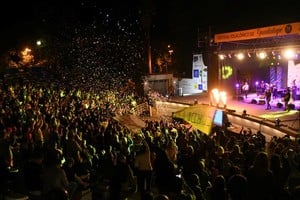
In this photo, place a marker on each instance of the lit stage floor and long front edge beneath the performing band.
(256, 112)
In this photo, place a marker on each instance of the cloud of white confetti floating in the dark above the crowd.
(110, 49)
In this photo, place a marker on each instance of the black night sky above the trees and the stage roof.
(175, 22)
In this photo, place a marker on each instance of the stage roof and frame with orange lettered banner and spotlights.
(271, 40)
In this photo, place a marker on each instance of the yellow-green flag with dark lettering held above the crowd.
(200, 116)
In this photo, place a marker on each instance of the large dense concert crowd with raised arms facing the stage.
(59, 142)
